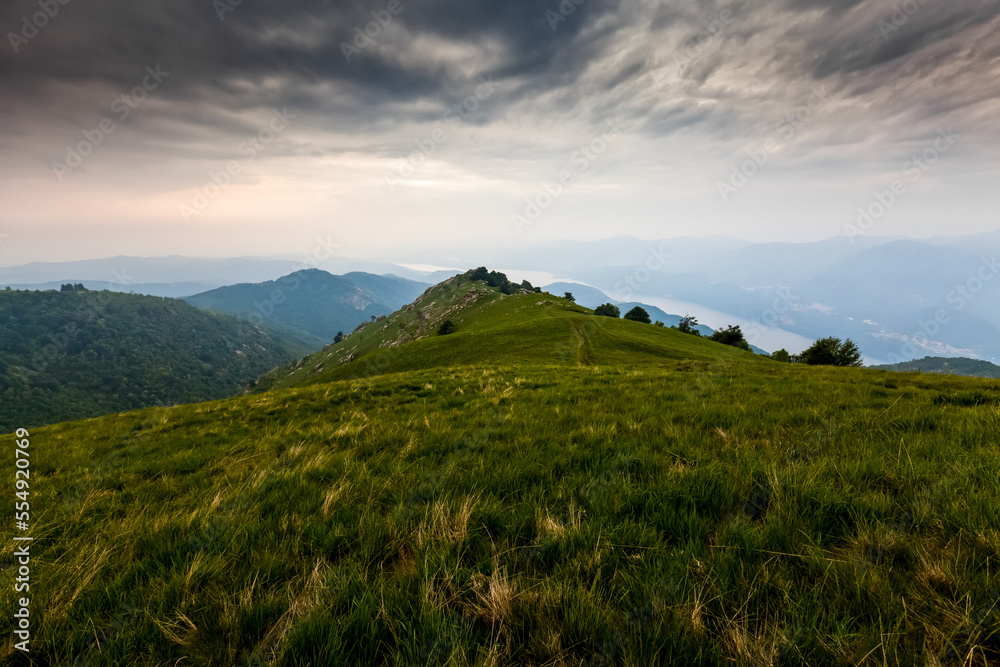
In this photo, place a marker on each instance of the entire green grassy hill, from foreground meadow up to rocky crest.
(541, 487)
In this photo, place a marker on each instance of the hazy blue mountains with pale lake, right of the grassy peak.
(878, 291)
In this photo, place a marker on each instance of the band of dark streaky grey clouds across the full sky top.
(727, 69)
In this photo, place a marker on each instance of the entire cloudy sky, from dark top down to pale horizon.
(260, 127)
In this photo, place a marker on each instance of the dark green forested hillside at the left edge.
(70, 355)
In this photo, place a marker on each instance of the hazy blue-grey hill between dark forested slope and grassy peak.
(312, 304)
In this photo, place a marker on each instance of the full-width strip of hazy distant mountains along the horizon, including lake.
(897, 298)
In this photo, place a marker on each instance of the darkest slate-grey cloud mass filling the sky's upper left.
(300, 43)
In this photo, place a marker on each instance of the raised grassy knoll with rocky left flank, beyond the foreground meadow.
(491, 327)
